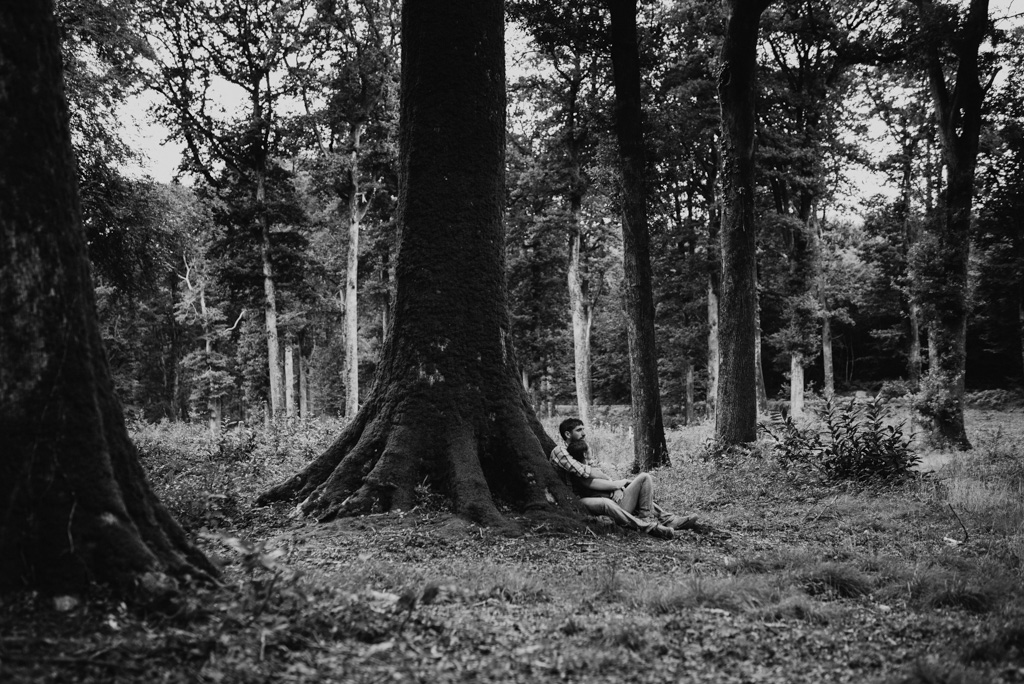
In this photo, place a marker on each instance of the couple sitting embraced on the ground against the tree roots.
(628, 502)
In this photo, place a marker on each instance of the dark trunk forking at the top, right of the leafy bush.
(944, 291)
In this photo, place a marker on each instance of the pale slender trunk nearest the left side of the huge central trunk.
(352, 281)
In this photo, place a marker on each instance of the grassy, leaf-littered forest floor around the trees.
(921, 582)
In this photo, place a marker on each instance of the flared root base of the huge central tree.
(403, 446)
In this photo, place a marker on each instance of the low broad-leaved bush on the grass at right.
(856, 444)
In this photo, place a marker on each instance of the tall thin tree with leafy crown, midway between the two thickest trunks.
(246, 45)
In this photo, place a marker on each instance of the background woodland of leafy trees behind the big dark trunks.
(247, 286)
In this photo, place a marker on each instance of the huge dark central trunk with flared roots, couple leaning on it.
(447, 406)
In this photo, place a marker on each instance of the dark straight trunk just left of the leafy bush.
(737, 413)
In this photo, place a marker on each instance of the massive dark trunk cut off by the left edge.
(75, 506)
